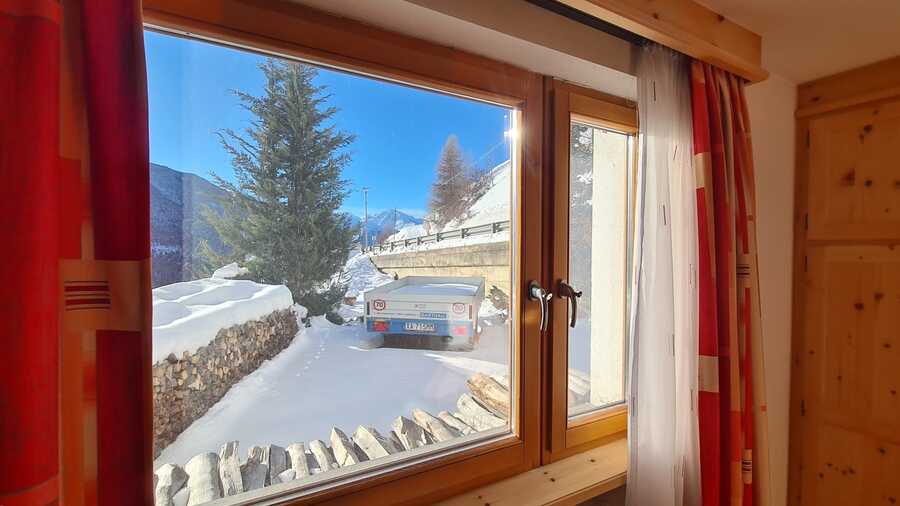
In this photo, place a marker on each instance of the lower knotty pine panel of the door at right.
(852, 369)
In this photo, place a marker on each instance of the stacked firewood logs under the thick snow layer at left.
(185, 387)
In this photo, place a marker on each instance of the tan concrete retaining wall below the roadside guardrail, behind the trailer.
(490, 260)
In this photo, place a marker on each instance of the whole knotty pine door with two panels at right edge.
(845, 399)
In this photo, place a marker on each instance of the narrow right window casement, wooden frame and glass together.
(594, 167)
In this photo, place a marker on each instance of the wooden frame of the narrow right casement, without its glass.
(562, 438)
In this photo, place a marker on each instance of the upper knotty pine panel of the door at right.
(854, 174)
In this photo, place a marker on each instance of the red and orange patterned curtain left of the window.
(75, 401)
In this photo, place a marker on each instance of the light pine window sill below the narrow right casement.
(566, 482)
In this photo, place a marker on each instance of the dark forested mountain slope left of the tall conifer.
(177, 227)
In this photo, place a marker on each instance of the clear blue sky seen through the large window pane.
(399, 130)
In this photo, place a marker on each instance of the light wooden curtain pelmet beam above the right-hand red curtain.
(685, 26)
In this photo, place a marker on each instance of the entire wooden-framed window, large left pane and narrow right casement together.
(376, 338)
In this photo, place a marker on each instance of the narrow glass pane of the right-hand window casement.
(599, 166)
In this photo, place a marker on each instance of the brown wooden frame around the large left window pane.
(298, 32)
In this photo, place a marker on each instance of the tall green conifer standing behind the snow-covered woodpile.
(280, 218)
